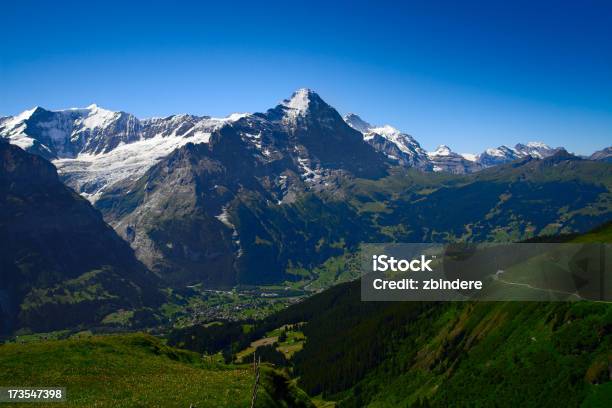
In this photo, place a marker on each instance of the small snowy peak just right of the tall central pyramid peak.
(400, 148)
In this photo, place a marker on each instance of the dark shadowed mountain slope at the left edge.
(60, 264)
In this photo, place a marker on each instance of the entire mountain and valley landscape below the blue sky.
(229, 238)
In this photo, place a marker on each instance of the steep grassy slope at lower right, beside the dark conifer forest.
(503, 354)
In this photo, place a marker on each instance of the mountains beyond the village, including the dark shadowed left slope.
(279, 199)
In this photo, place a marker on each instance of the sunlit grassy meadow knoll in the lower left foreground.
(137, 370)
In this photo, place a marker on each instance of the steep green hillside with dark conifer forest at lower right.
(459, 354)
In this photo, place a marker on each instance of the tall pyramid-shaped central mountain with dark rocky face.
(198, 214)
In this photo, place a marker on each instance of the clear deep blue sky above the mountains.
(468, 74)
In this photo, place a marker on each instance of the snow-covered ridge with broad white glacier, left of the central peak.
(93, 147)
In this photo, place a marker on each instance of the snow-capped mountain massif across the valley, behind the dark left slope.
(251, 197)
